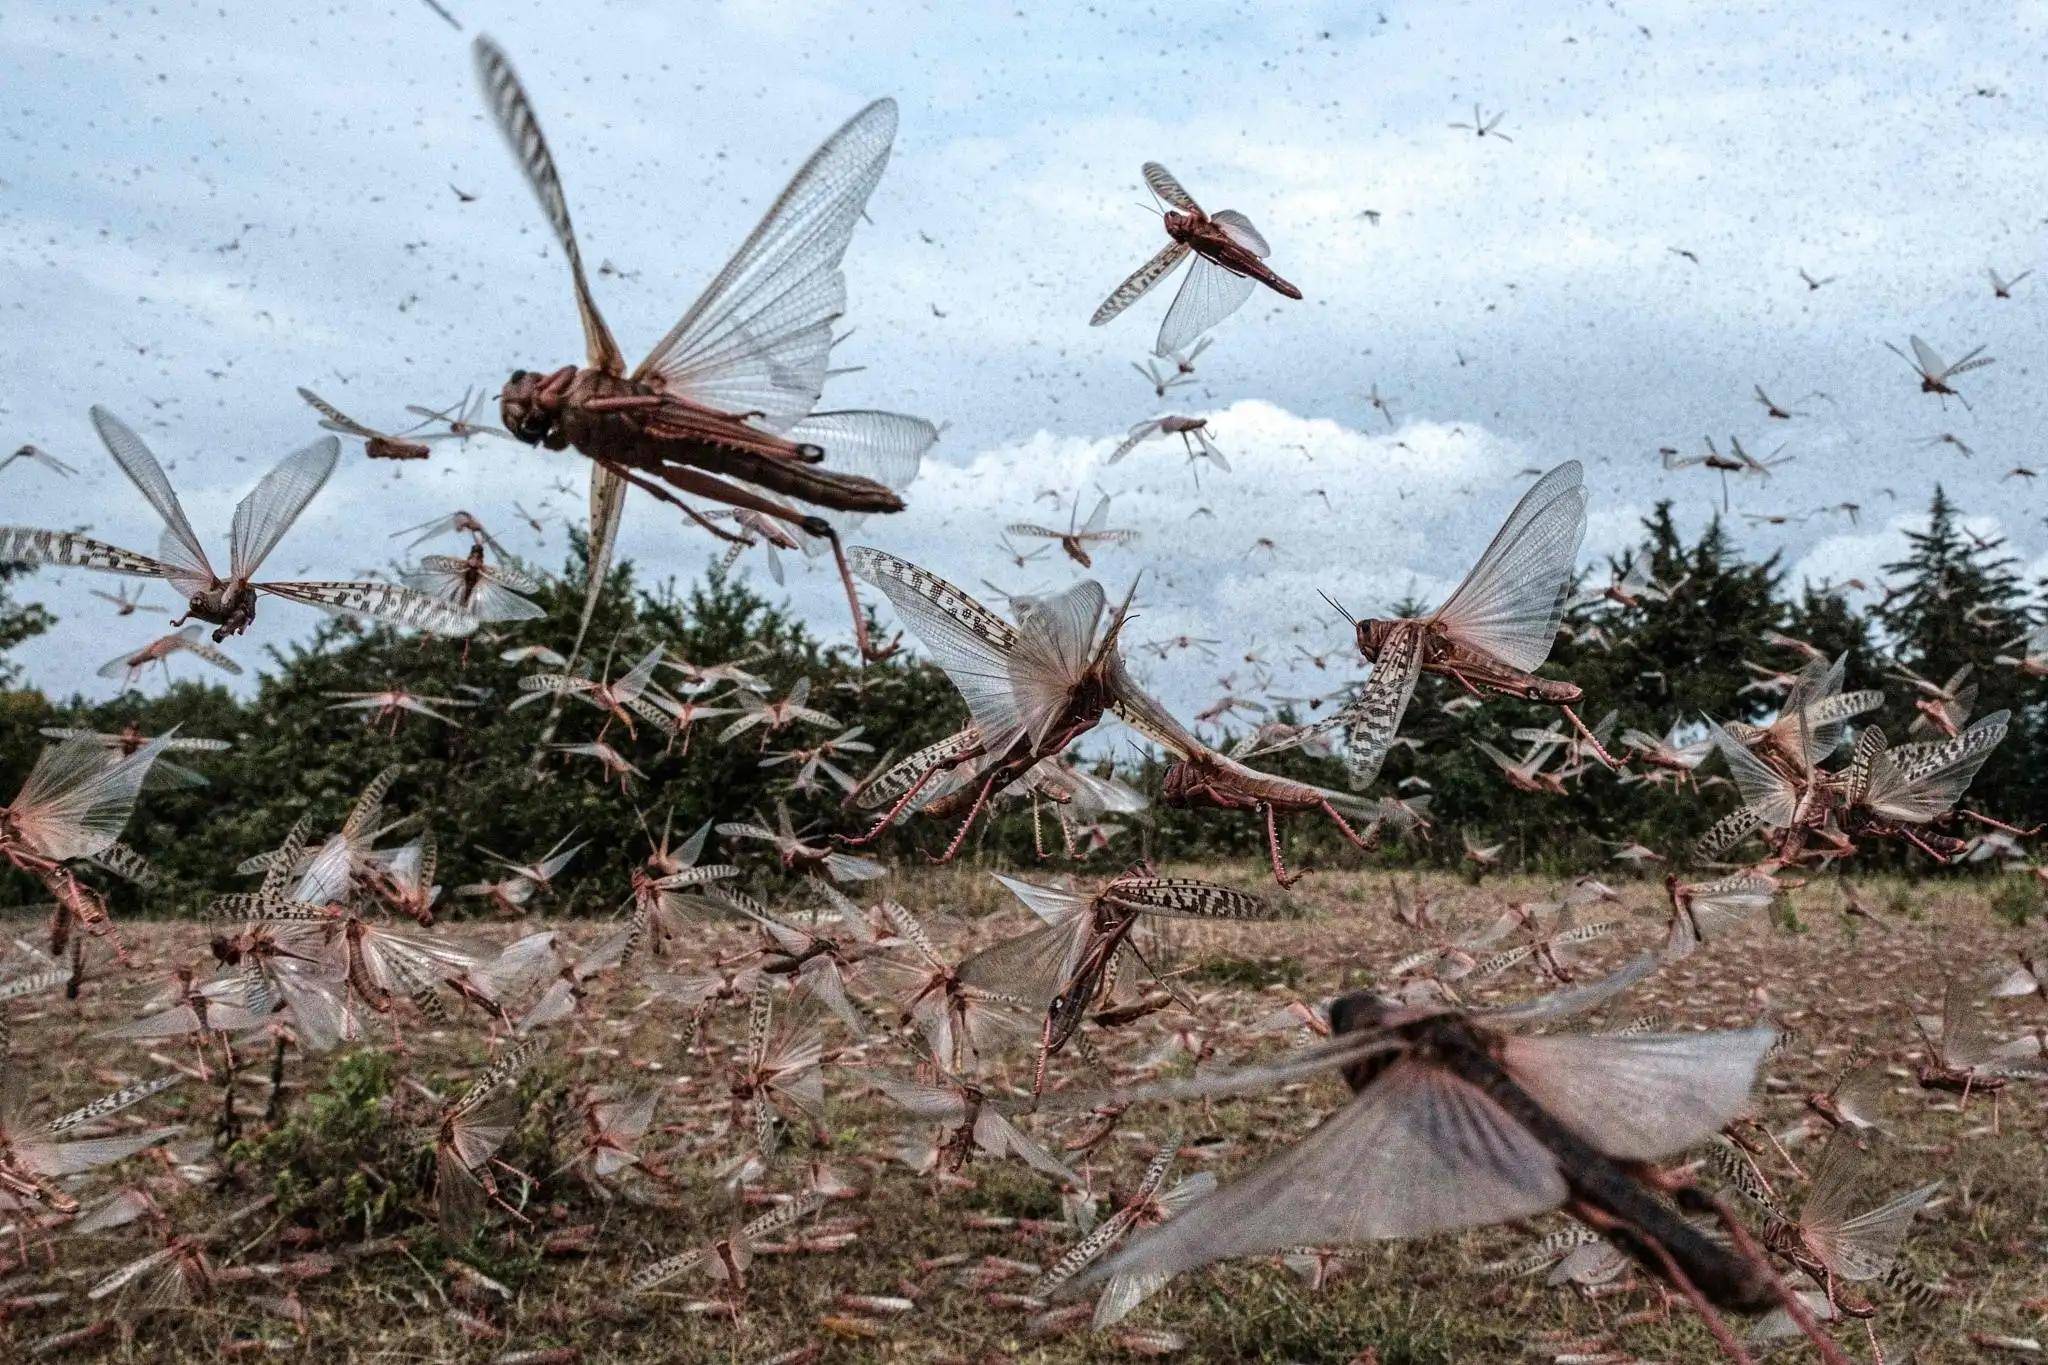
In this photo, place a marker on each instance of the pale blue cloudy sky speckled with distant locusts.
(204, 208)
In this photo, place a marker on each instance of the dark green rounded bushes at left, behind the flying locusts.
(482, 787)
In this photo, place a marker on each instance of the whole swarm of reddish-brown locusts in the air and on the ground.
(990, 1047)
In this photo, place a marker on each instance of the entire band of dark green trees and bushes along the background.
(482, 787)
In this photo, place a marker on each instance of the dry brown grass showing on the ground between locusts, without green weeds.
(1832, 979)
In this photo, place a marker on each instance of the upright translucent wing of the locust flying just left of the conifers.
(1512, 601)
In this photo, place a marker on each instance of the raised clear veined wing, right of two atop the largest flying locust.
(759, 339)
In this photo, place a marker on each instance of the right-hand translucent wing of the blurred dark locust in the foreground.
(1639, 1098)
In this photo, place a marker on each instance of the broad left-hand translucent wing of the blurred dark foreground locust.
(1416, 1153)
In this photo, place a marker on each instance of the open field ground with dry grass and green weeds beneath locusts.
(374, 1278)
